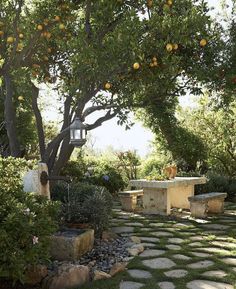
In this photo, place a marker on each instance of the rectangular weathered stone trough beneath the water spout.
(70, 244)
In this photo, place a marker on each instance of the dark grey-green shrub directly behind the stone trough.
(84, 203)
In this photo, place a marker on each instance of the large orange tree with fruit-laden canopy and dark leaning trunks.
(113, 55)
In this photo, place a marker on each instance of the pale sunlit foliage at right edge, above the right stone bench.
(217, 130)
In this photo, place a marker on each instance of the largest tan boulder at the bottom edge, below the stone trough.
(68, 276)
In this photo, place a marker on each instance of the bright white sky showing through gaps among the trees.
(137, 138)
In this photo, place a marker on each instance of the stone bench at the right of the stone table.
(200, 205)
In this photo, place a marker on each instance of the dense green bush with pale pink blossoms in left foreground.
(26, 222)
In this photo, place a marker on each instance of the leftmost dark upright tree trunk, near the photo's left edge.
(10, 118)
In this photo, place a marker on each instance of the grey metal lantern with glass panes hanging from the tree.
(77, 133)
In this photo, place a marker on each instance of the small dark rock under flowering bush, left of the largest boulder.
(35, 274)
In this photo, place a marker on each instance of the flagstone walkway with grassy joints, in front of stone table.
(179, 252)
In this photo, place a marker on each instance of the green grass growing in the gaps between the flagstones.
(180, 232)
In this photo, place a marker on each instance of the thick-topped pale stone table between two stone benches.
(160, 196)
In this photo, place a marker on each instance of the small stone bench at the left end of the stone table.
(129, 199)
